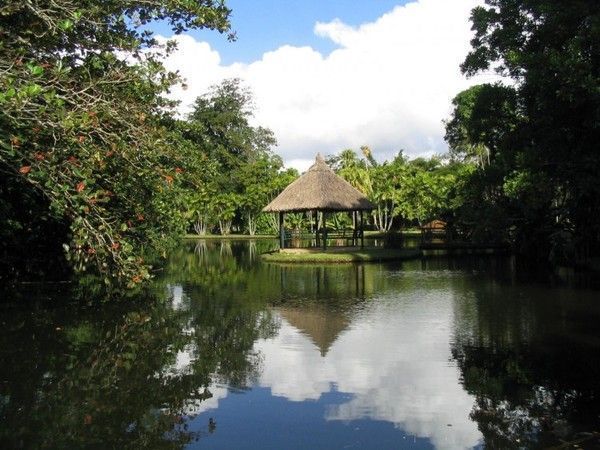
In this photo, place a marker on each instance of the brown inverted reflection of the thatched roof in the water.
(322, 325)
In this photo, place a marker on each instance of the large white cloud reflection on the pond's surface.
(394, 358)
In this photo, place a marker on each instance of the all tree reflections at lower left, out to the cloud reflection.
(107, 377)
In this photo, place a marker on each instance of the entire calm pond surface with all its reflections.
(228, 353)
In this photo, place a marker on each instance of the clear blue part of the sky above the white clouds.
(264, 25)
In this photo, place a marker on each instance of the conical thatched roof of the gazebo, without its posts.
(319, 189)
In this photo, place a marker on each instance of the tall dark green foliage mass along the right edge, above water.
(536, 143)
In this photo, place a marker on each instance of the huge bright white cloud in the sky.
(387, 85)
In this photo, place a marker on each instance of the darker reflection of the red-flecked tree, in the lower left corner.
(78, 380)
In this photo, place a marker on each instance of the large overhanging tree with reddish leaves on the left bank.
(82, 112)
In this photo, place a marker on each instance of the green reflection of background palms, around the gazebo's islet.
(230, 271)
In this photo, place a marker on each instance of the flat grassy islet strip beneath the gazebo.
(340, 255)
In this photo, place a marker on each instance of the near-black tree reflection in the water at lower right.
(530, 360)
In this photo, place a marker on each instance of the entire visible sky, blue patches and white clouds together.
(337, 74)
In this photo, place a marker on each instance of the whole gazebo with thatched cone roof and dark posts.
(321, 190)
